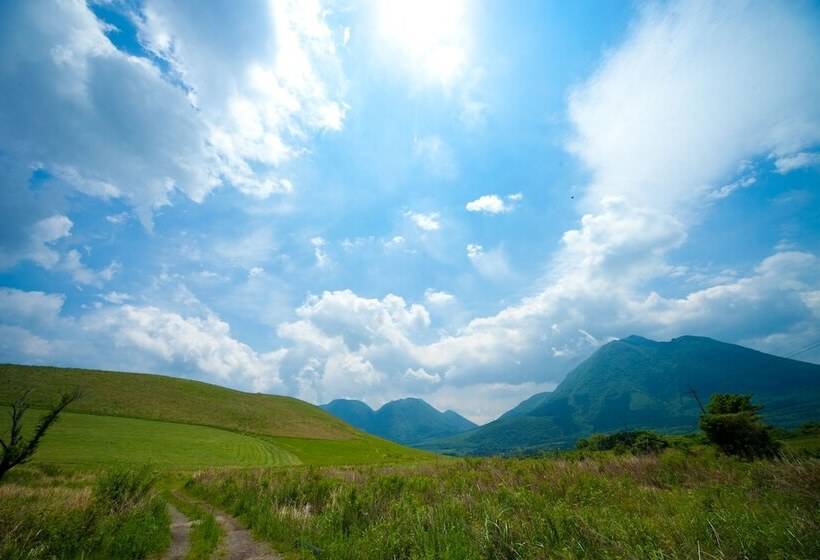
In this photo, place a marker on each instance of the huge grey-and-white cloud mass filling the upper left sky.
(204, 109)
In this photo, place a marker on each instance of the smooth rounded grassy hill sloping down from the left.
(182, 424)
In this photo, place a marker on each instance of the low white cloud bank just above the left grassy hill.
(145, 337)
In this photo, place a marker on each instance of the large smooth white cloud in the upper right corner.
(693, 92)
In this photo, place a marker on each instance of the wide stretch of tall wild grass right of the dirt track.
(676, 505)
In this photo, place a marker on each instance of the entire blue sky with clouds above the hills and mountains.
(455, 200)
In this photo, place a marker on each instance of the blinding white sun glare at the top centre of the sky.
(430, 35)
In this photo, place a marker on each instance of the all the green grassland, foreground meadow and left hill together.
(100, 485)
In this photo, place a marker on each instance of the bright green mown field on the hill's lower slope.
(90, 441)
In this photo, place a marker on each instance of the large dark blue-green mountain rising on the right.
(640, 383)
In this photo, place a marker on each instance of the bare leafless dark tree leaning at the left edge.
(18, 450)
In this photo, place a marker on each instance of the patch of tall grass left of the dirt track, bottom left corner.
(118, 515)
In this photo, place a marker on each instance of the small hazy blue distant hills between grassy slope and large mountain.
(408, 421)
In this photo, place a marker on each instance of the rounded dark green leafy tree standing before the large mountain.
(732, 422)
